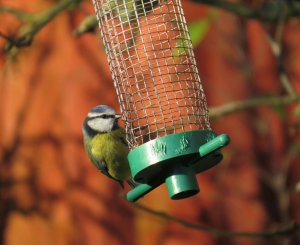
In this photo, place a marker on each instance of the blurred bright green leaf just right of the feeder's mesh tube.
(198, 30)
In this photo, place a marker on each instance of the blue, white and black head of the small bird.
(101, 119)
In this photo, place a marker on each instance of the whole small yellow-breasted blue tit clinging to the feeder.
(105, 143)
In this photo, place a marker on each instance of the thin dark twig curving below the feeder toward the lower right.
(285, 230)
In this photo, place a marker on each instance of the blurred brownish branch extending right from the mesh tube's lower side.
(235, 106)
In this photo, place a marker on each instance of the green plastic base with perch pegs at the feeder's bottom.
(174, 159)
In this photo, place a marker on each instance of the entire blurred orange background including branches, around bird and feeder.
(53, 72)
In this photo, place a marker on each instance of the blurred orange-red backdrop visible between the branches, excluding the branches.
(51, 194)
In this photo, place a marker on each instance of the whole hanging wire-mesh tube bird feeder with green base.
(152, 62)
